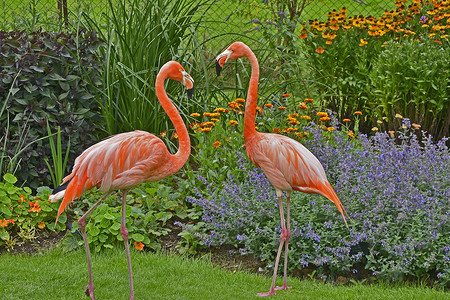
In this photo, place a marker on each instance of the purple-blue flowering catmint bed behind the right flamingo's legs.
(395, 189)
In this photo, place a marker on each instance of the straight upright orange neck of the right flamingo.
(252, 97)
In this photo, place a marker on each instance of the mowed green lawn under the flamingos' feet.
(58, 275)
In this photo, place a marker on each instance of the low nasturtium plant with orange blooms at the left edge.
(22, 214)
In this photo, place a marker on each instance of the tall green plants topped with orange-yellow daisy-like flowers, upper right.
(396, 63)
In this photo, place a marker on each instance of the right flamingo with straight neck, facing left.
(287, 164)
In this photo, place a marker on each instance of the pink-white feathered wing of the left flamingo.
(123, 160)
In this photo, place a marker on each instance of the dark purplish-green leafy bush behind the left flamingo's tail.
(44, 73)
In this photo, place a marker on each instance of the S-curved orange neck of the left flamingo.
(184, 148)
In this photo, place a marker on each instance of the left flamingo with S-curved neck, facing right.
(125, 160)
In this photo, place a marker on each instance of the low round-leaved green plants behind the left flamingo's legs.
(149, 207)
